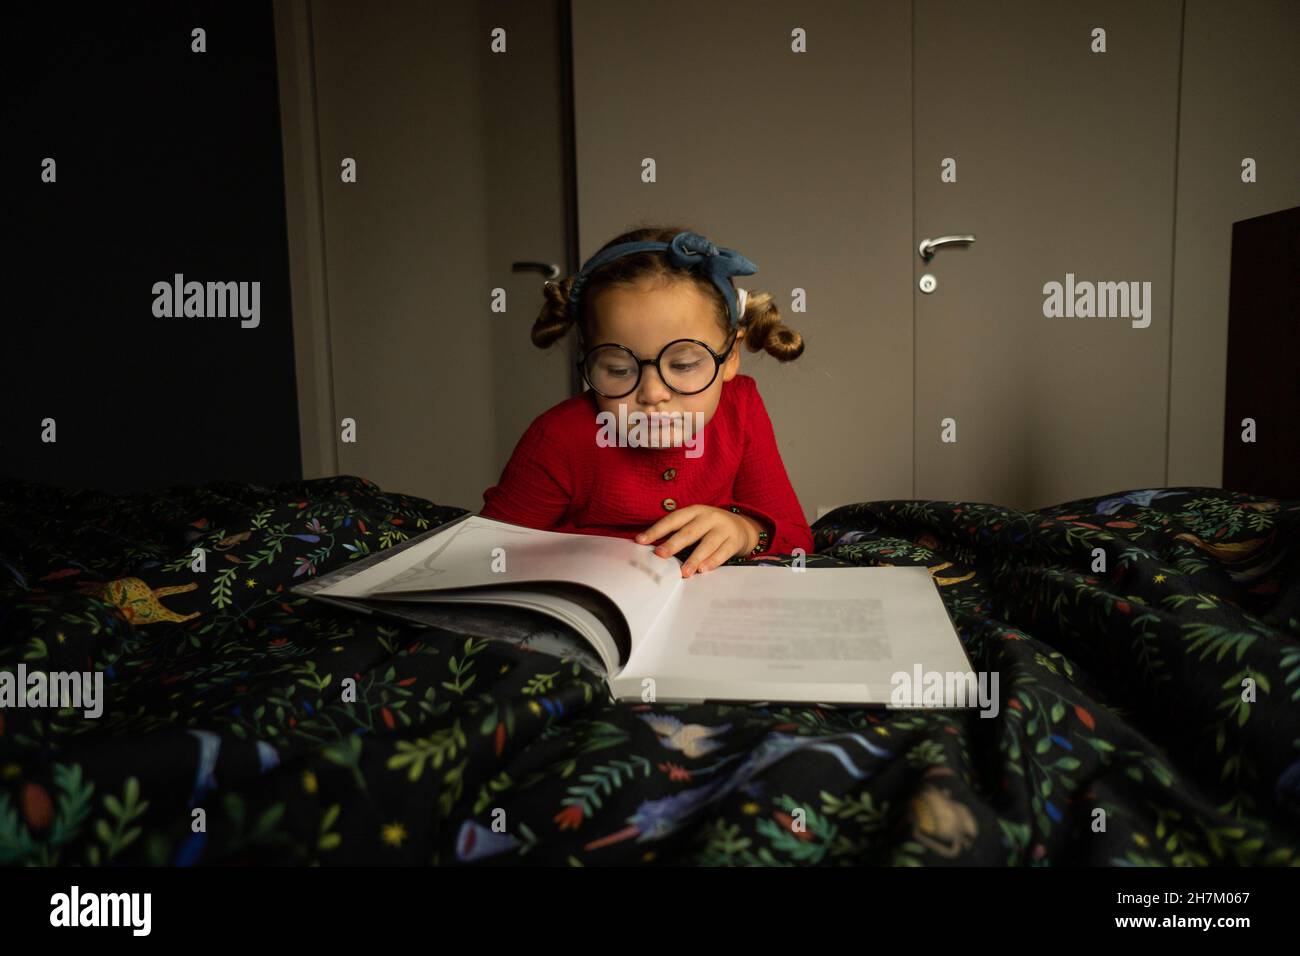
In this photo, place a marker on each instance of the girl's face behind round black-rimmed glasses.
(645, 319)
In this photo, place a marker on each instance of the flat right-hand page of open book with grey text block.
(818, 635)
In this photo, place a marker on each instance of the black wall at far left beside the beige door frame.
(168, 162)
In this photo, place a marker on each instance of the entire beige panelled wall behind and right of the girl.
(1072, 163)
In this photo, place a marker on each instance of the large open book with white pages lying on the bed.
(835, 635)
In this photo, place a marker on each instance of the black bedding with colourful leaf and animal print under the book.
(1149, 712)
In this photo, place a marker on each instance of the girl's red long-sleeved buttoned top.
(561, 479)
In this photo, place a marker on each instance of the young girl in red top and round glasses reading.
(660, 322)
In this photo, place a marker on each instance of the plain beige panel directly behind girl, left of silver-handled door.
(804, 165)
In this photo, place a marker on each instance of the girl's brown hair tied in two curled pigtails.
(760, 327)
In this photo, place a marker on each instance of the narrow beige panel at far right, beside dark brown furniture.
(1241, 92)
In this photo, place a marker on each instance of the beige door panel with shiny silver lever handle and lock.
(1064, 170)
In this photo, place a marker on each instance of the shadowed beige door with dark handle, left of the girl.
(461, 158)
